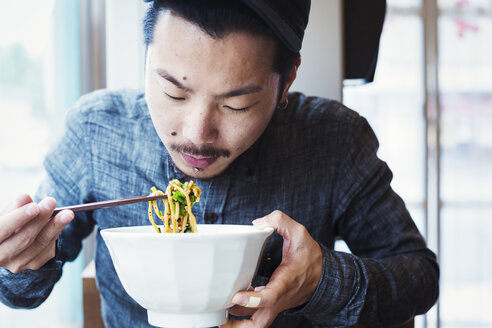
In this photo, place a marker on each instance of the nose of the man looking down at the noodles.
(200, 126)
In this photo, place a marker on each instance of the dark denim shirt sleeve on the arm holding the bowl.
(391, 275)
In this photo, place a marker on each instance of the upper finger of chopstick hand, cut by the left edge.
(16, 219)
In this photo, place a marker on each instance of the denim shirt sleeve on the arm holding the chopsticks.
(68, 181)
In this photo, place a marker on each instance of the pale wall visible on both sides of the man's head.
(320, 73)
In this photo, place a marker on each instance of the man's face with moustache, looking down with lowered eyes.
(209, 99)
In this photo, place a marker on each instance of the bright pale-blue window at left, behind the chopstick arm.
(39, 80)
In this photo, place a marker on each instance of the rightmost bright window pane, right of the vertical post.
(465, 68)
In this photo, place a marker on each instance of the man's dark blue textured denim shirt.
(316, 162)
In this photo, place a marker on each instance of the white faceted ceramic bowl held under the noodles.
(186, 280)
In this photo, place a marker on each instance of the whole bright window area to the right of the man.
(439, 144)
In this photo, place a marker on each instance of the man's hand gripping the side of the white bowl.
(293, 282)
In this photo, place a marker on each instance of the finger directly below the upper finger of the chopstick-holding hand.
(28, 232)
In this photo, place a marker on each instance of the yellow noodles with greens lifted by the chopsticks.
(177, 217)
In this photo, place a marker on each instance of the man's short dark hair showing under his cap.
(218, 18)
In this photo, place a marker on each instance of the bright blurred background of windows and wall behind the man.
(430, 105)
